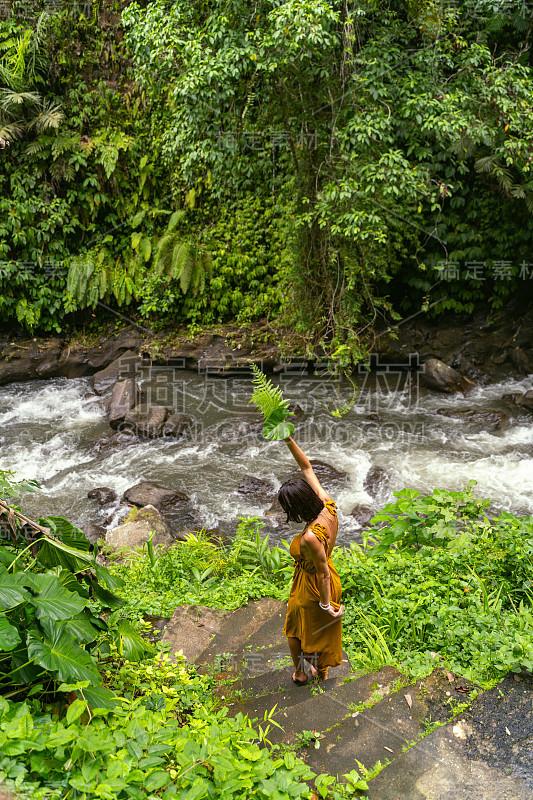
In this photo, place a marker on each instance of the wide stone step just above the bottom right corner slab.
(379, 733)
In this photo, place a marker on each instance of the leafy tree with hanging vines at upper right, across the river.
(387, 161)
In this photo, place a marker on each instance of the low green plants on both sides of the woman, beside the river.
(466, 604)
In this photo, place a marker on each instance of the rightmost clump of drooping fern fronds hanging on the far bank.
(182, 258)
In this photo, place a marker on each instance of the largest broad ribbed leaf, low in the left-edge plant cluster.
(57, 652)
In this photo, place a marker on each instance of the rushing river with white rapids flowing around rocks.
(49, 431)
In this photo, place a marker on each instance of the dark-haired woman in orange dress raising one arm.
(313, 622)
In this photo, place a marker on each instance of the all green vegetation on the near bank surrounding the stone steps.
(101, 711)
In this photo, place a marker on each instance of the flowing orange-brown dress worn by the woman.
(316, 629)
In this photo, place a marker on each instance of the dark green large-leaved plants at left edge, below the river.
(52, 592)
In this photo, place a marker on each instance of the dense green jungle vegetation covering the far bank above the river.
(319, 164)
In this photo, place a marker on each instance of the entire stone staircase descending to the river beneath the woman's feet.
(409, 739)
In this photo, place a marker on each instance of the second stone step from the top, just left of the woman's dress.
(235, 630)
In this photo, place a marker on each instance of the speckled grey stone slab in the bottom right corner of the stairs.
(486, 753)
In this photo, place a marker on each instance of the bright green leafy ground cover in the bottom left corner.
(164, 740)
